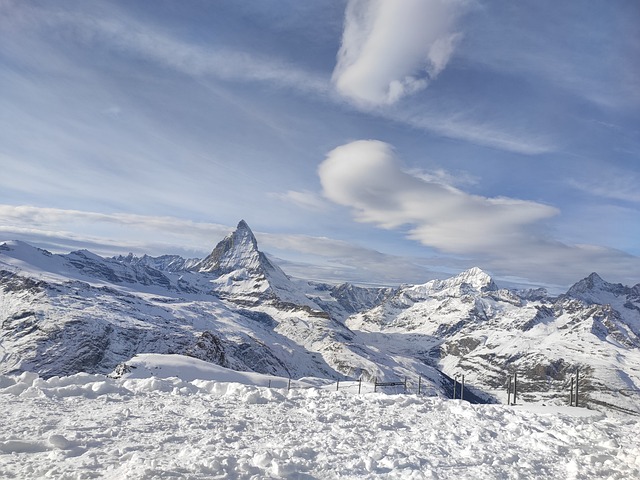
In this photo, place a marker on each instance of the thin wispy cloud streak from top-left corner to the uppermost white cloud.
(110, 28)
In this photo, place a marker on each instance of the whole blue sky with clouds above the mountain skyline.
(372, 141)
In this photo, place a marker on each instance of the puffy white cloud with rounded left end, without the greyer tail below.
(366, 176)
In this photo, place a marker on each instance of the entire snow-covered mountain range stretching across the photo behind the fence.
(62, 314)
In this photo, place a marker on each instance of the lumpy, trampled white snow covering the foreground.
(227, 426)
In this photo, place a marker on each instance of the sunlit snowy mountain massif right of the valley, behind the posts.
(486, 334)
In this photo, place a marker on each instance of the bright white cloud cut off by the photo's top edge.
(391, 49)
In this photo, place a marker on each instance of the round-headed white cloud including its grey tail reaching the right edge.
(503, 235)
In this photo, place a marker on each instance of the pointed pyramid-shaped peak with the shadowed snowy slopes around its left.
(62, 314)
